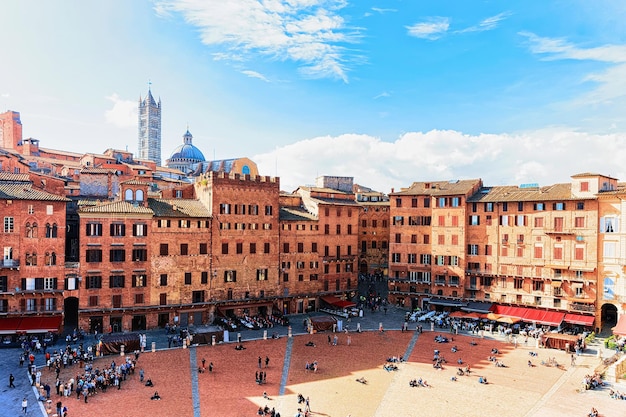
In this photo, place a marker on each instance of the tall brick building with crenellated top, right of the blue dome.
(244, 242)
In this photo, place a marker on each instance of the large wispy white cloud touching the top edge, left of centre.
(308, 32)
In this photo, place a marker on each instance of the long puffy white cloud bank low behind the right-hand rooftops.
(545, 156)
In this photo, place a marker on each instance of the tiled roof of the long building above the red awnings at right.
(556, 192)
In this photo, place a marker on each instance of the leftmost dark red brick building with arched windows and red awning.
(32, 269)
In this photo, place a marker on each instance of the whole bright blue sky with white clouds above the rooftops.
(387, 91)
